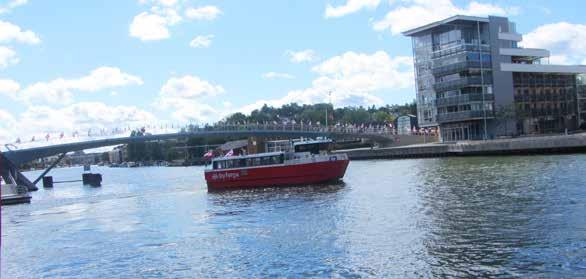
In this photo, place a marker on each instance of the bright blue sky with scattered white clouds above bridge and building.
(76, 66)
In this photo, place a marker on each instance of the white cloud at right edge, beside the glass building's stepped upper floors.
(566, 41)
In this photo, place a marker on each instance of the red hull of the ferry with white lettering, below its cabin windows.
(299, 174)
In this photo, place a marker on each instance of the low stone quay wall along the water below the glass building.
(524, 145)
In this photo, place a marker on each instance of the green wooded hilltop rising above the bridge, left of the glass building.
(317, 114)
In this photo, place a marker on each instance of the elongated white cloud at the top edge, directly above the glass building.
(414, 13)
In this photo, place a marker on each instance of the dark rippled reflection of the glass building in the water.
(487, 216)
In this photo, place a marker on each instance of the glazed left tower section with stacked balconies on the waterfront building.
(454, 78)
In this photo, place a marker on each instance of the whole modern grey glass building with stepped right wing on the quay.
(474, 82)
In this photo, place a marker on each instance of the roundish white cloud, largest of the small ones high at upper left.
(149, 27)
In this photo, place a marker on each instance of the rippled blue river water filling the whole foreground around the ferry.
(481, 216)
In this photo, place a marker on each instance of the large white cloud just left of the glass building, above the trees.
(351, 78)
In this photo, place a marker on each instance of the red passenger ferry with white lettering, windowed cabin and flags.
(310, 162)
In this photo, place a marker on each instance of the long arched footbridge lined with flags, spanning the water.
(10, 160)
